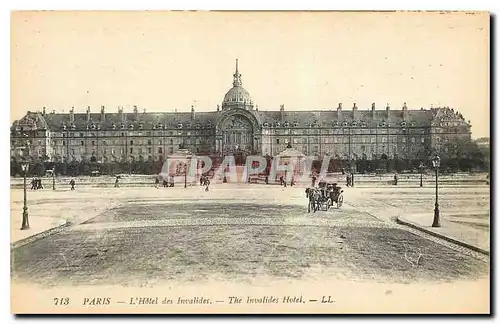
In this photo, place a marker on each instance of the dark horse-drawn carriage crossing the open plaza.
(323, 197)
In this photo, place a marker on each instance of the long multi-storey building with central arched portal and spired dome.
(237, 127)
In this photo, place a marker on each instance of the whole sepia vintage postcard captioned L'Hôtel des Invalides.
(250, 162)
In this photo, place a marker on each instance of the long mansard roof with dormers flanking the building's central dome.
(271, 118)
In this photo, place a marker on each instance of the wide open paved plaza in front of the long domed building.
(244, 232)
